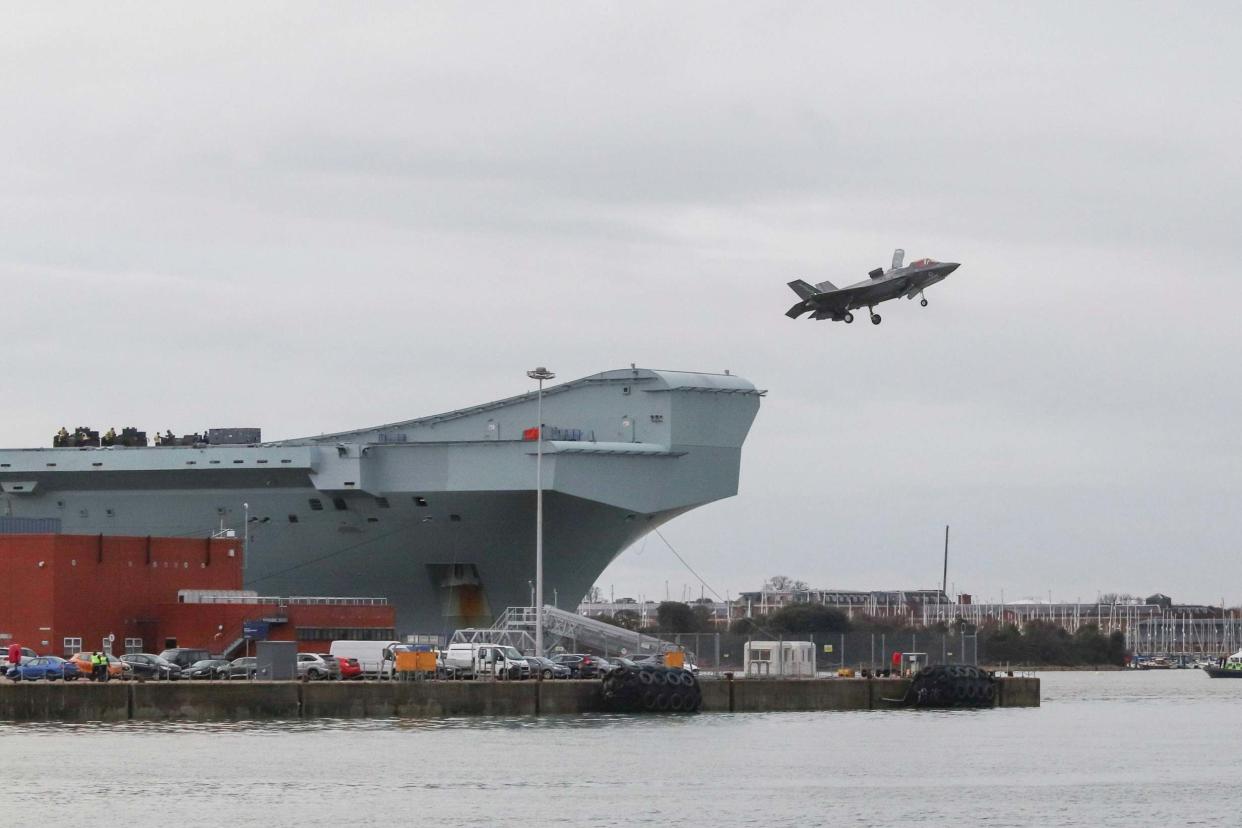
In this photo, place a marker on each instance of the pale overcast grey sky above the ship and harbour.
(317, 218)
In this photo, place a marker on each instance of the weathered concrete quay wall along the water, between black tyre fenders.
(244, 701)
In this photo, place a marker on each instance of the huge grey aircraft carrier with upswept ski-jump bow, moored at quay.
(438, 513)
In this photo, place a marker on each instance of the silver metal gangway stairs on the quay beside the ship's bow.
(569, 630)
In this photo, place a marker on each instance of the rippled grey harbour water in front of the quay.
(1106, 749)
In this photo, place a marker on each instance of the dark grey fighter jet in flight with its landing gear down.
(827, 301)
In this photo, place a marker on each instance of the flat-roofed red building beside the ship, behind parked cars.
(63, 594)
